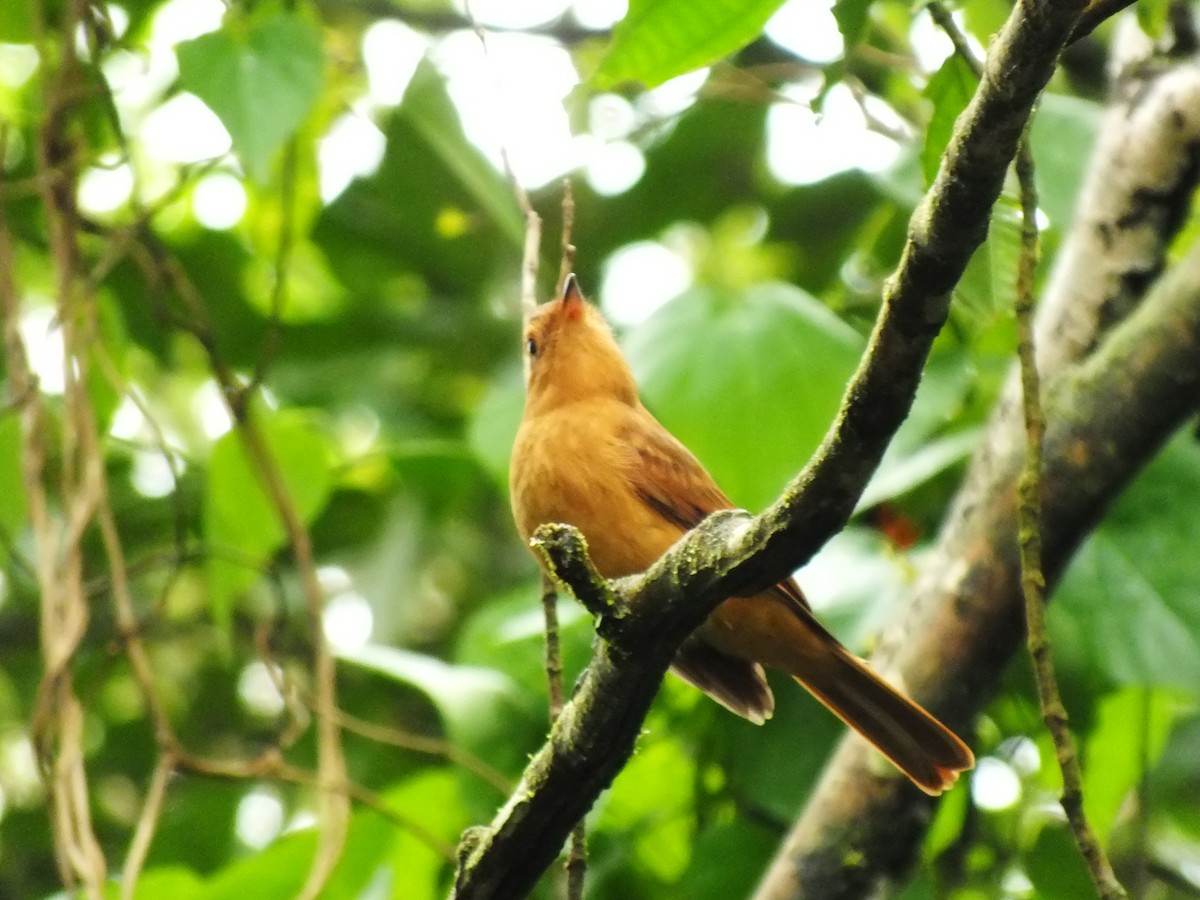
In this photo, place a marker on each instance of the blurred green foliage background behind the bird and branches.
(382, 319)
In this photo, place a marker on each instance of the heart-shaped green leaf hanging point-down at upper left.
(261, 81)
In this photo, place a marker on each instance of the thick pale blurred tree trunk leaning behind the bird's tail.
(965, 621)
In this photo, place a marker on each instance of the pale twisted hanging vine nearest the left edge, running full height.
(58, 717)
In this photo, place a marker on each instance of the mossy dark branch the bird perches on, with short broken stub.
(729, 555)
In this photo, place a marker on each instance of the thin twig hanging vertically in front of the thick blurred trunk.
(1029, 518)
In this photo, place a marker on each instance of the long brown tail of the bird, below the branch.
(921, 747)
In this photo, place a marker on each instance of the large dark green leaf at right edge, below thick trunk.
(1127, 613)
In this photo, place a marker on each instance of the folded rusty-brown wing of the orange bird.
(673, 483)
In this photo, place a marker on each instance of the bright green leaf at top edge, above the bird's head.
(662, 39)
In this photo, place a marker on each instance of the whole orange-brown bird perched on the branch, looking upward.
(591, 455)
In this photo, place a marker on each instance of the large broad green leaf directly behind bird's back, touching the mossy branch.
(749, 382)
